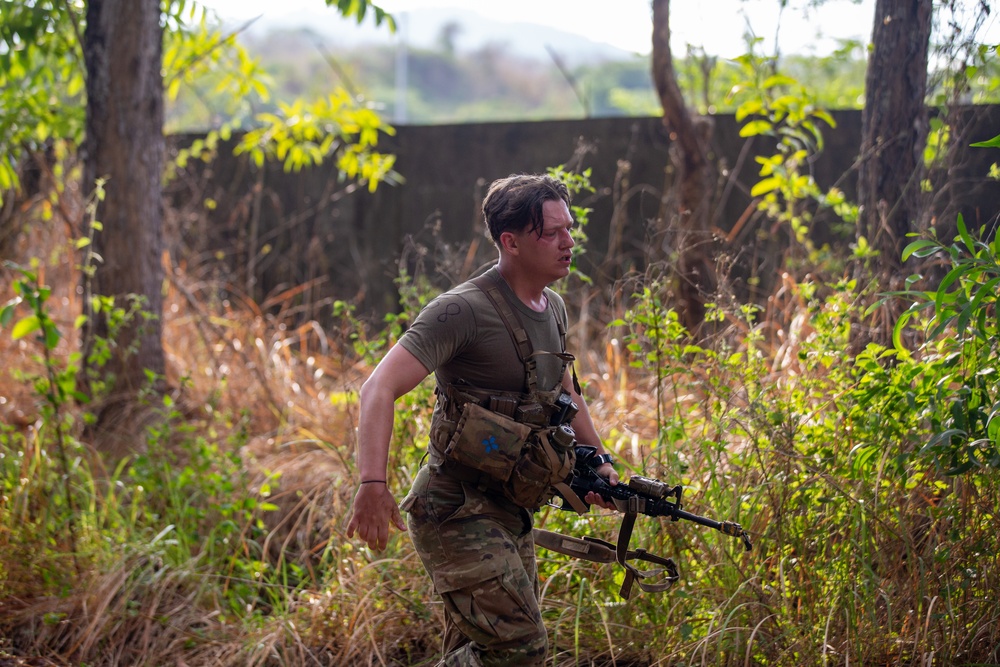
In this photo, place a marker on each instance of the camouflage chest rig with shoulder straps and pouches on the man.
(519, 445)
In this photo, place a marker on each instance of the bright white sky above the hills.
(716, 25)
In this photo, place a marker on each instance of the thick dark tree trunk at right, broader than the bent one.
(894, 128)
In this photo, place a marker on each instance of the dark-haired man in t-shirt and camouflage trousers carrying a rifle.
(505, 395)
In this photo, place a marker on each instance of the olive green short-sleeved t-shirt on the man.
(461, 336)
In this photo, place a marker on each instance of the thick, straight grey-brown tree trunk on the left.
(123, 46)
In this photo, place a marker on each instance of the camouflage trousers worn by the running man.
(480, 554)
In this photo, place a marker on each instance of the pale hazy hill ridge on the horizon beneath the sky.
(424, 28)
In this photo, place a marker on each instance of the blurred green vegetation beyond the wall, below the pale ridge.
(492, 84)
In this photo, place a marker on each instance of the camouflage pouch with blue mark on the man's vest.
(487, 441)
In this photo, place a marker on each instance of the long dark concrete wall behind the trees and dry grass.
(307, 230)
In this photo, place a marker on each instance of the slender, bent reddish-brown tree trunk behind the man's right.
(689, 140)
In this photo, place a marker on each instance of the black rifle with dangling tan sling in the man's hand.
(640, 495)
